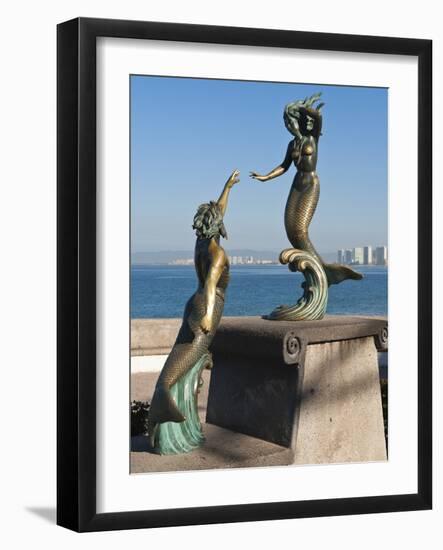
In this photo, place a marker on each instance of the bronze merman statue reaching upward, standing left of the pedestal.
(174, 426)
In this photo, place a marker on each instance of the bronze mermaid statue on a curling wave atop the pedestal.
(304, 121)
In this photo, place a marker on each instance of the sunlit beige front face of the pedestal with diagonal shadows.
(341, 417)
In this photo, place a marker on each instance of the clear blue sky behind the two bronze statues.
(187, 135)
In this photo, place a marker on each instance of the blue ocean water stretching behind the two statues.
(162, 291)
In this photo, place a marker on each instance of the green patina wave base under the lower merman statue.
(182, 437)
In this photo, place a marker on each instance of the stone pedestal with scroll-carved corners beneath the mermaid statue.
(310, 386)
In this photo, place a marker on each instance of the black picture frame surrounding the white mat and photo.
(76, 277)
